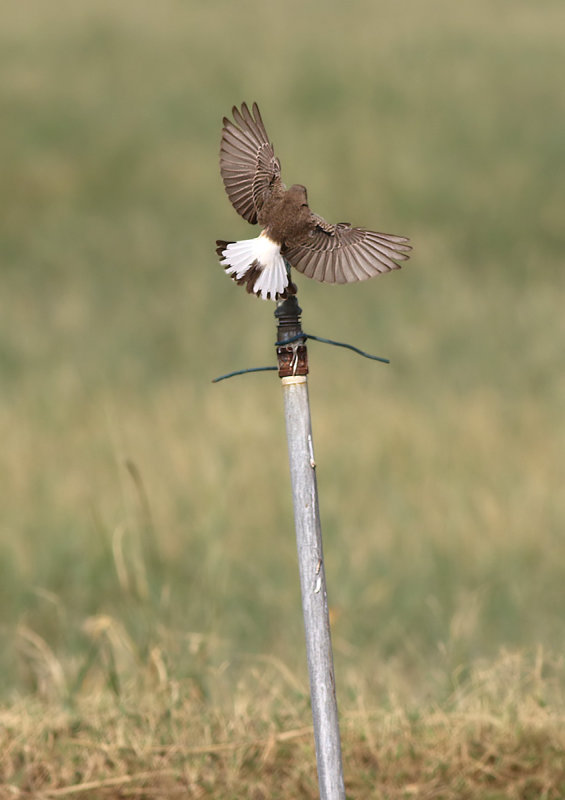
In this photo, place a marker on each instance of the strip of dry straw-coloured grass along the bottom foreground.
(497, 736)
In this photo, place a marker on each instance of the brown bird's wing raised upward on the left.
(248, 165)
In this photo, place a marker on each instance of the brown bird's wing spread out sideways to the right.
(343, 254)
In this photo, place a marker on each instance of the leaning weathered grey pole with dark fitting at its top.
(293, 369)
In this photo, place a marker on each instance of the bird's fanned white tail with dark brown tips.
(258, 264)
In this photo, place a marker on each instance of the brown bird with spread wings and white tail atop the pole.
(291, 233)
